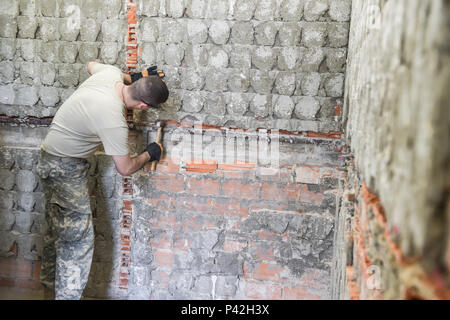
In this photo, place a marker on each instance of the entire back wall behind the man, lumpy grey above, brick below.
(239, 227)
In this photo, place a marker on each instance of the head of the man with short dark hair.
(151, 90)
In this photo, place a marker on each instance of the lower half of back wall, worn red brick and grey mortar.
(208, 229)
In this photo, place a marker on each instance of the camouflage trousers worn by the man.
(69, 234)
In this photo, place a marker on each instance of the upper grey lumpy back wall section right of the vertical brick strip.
(249, 64)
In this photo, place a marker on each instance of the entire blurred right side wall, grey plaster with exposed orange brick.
(394, 222)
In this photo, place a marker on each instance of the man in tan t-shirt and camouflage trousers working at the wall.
(94, 114)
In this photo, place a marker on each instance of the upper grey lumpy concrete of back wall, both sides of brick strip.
(248, 64)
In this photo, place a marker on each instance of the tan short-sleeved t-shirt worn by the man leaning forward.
(92, 115)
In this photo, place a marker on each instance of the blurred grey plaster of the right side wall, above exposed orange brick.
(398, 118)
